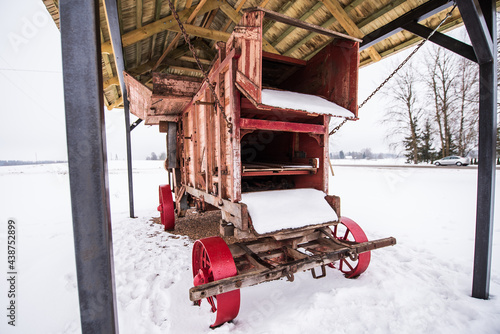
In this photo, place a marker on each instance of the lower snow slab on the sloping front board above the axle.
(287, 209)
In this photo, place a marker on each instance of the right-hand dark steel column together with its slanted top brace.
(480, 21)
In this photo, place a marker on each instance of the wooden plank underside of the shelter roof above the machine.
(148, 29)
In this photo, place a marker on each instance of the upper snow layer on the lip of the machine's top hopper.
(306, 102)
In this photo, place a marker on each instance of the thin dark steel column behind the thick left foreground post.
(111, 9)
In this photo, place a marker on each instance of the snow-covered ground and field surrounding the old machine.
(421, 285)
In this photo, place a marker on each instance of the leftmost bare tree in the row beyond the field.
(404, 114)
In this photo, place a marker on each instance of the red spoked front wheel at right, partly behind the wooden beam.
(348, 230)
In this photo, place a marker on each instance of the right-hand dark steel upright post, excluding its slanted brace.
(487, 161)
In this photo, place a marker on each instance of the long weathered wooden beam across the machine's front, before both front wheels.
(257, 277)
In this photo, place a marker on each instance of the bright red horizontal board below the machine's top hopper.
(260, 124)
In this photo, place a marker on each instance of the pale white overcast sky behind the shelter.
(32, 124)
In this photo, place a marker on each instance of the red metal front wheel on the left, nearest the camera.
(212, 261)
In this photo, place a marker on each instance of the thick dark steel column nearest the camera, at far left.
(85, 128)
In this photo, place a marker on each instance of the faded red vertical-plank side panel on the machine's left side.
(211, 148)
